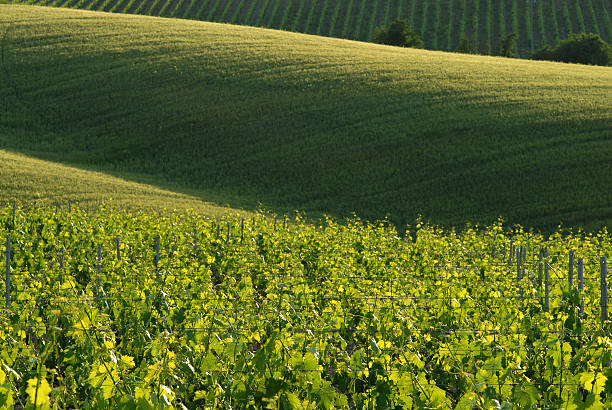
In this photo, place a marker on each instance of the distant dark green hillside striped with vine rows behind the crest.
(441, 22)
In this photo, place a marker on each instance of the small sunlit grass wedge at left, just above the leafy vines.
(26, 180)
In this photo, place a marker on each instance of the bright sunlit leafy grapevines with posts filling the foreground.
(105, 308)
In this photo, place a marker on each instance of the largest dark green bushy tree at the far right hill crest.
(578, 48)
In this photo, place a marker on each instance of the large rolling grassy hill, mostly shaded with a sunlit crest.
(303, 122)
